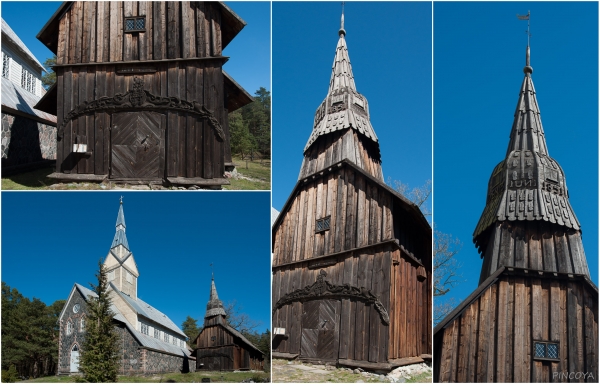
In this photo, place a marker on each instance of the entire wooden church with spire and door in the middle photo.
(369, 274)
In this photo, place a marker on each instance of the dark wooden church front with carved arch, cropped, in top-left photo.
(165, 81)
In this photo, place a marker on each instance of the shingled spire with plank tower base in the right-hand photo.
(528, 187)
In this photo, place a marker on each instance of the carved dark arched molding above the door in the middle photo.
(322, 289)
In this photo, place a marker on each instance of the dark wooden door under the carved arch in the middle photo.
(320, 331)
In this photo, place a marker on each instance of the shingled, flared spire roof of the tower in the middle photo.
(343, 106)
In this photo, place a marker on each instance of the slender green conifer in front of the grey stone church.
(99, 359)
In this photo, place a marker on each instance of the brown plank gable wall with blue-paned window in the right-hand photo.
(491, 340)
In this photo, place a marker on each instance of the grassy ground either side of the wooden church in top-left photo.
(259, 174)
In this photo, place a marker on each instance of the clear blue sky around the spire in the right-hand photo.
(479, 59)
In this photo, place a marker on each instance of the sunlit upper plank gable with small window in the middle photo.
(362, 213)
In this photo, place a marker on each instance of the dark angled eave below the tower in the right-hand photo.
(509, 271)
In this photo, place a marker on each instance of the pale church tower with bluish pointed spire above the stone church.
(120, 265)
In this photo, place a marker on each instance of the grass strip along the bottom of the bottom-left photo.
(193, 377)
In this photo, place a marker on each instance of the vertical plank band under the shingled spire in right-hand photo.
(535, 245)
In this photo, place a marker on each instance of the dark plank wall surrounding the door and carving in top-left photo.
(190, 147)
